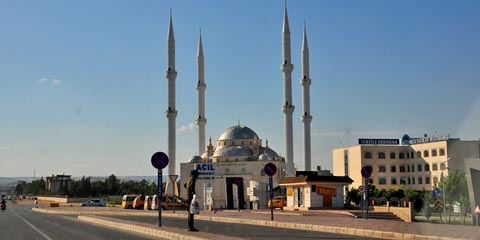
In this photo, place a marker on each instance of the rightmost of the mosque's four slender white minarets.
(306, 117)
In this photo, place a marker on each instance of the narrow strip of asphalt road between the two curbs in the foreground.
(239, 230)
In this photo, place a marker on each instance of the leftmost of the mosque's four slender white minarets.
(171, 112)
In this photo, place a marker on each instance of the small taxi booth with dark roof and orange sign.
(307, 190)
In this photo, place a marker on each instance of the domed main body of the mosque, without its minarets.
(231, 174)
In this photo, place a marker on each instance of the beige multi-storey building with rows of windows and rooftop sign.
(415, 163)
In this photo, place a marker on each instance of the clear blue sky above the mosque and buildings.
(83, 86)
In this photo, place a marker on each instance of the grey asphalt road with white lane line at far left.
(20, 222)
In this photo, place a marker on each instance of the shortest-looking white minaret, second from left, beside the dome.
(201, 86)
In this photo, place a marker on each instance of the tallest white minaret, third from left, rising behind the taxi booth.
(288, 107)
